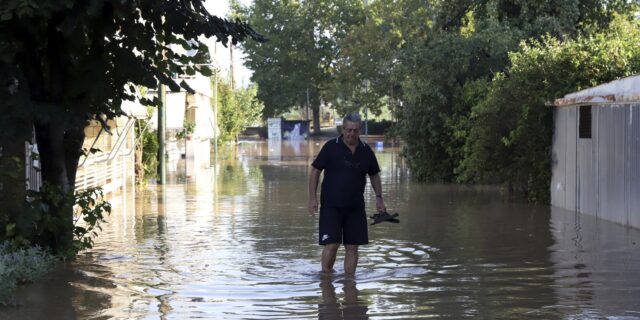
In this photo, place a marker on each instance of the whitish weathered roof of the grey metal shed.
(624, 90)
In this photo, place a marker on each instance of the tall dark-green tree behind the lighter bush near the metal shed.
(445, 73)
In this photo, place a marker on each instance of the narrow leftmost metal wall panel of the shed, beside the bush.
(558, 158)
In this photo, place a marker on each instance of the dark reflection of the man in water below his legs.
(350, 309)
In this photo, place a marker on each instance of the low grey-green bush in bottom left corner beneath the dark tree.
(18, 266)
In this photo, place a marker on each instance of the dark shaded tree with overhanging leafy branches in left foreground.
(65, 63)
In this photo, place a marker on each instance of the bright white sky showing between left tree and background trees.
(242, 74)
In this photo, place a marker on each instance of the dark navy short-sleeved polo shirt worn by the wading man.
(345, 173)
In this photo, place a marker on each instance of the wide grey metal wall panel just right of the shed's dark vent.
(610, 166)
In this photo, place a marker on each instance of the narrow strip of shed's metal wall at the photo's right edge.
(633, 166)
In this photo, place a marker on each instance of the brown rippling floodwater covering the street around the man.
(236, 242)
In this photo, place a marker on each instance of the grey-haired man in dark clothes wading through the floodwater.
(346, 162)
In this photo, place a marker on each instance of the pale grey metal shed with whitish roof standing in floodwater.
(596, 152)
